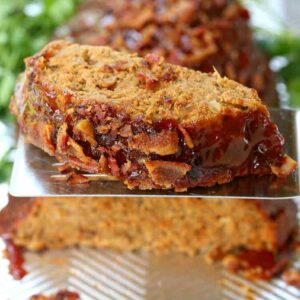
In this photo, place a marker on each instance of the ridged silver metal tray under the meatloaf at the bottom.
(104, 274)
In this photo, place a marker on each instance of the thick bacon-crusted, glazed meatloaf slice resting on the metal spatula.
(146, 122)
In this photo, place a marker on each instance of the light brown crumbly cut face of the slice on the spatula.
(148, 88)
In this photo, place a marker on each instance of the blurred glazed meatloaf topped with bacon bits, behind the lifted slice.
(199, 34)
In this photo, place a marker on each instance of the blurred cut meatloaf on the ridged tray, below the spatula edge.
(161, 225)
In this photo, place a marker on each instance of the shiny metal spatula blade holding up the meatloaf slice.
(33, 170)
